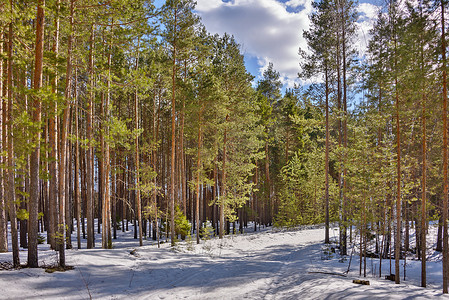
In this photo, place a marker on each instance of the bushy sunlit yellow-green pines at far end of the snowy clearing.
(302, 177)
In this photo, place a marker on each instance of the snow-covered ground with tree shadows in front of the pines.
(268, 264)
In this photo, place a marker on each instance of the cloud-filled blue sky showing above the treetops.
(271, 30)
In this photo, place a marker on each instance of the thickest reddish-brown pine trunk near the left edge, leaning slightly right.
(35, 159)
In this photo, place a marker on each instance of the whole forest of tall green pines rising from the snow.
(121, 112)
